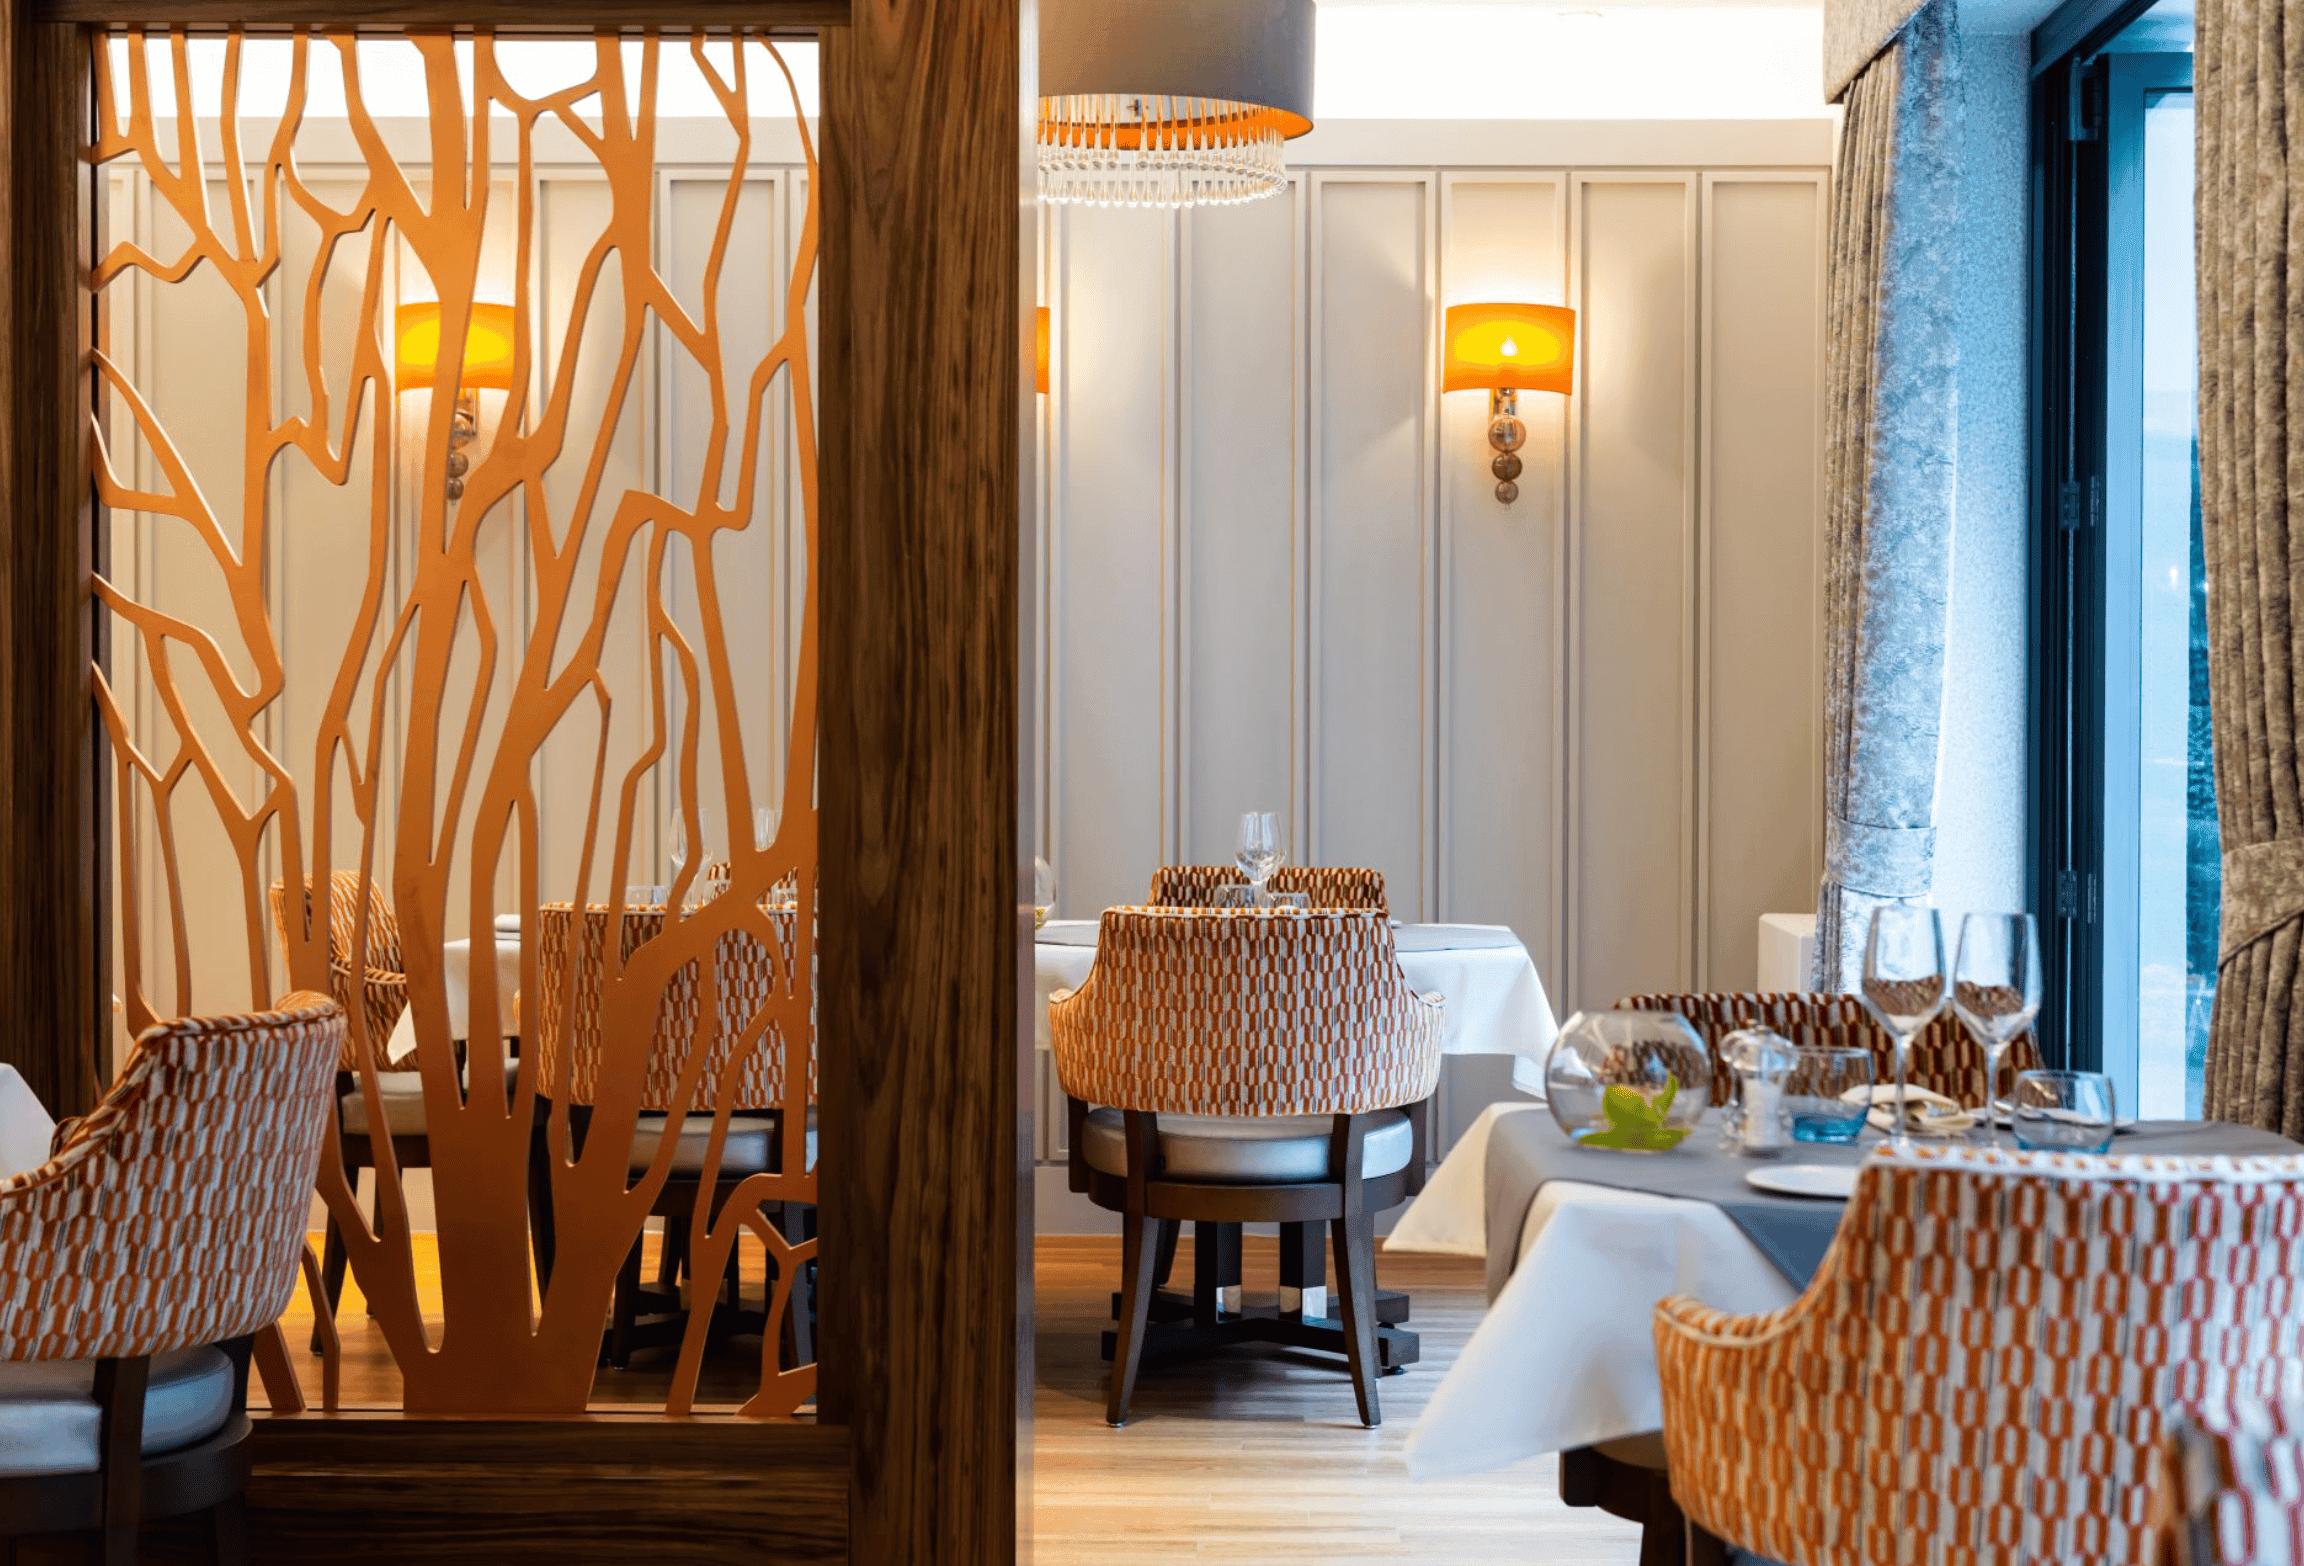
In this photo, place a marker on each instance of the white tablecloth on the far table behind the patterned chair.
(1494, 998)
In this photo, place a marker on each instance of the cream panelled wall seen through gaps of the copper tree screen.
(185, 347)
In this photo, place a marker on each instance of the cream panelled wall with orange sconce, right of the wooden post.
(1278, 575)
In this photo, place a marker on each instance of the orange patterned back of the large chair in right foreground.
(1983, 1364)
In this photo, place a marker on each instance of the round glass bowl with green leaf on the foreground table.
(1632, 1081)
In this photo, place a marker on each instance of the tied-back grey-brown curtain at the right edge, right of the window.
(2250, 102)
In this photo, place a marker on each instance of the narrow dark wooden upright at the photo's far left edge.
(50, 839)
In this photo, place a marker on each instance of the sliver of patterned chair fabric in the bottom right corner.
(2231, 1487)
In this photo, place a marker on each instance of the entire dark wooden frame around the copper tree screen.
(925, 909)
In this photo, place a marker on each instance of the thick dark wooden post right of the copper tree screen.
(923, 1137)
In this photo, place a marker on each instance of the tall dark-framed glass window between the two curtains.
(2125, 830)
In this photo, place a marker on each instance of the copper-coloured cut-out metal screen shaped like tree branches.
(446, 706)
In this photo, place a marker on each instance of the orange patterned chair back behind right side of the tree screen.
(570, 973)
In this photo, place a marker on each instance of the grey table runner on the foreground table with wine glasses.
(1794, 1233)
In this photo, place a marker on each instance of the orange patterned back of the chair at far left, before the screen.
(174, 1215)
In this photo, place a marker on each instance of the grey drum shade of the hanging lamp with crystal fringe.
(1248, 52)
